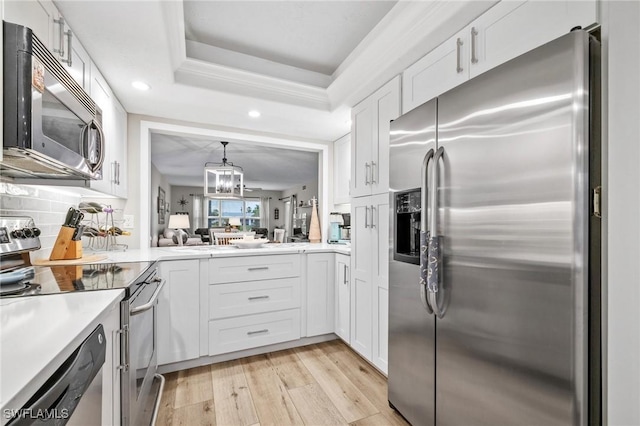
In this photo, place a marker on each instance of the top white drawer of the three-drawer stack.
(253, 268)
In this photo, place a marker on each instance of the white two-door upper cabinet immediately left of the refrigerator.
(370, 139)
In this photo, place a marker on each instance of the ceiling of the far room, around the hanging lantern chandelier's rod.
(181, 159)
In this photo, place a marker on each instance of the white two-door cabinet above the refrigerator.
(507, 30)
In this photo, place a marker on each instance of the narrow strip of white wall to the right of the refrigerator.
(621, 130)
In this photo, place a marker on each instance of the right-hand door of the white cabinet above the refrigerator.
(510, 29)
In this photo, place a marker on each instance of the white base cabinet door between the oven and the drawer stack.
(179, 311)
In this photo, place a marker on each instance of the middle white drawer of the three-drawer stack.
(253, 297)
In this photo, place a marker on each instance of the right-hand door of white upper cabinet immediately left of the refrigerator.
(387, 108)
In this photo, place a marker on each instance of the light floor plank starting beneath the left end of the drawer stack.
(231, 394)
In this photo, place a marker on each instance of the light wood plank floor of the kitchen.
(323, 384)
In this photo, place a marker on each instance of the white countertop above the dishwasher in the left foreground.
(38, 333)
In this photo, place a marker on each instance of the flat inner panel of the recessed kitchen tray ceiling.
(315, 36)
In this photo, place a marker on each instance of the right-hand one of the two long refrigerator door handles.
(434, 264)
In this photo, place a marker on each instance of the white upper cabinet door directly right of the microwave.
(101, 94)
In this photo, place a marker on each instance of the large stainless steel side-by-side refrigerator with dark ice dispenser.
(494, 284)
